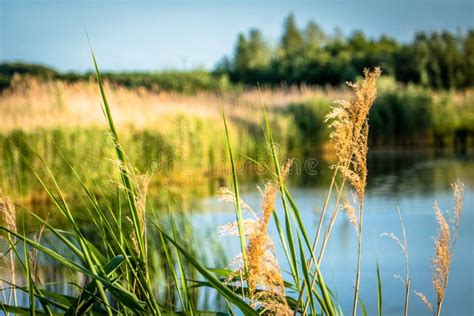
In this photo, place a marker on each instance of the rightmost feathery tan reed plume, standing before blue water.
(444, 248)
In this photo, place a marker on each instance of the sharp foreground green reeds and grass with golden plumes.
(130, 244)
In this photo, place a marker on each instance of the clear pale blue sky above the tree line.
(166, 34)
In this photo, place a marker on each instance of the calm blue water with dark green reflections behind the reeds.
(411, 181)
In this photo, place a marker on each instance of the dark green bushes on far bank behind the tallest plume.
(402, 116)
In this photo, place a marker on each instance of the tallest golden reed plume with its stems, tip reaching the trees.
(349, 136)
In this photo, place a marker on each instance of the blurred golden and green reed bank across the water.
(179, 136)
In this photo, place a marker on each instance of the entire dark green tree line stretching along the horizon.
(439, 60)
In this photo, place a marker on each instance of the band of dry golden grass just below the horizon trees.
(32, 104)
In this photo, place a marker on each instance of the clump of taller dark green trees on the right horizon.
(440, 60)
